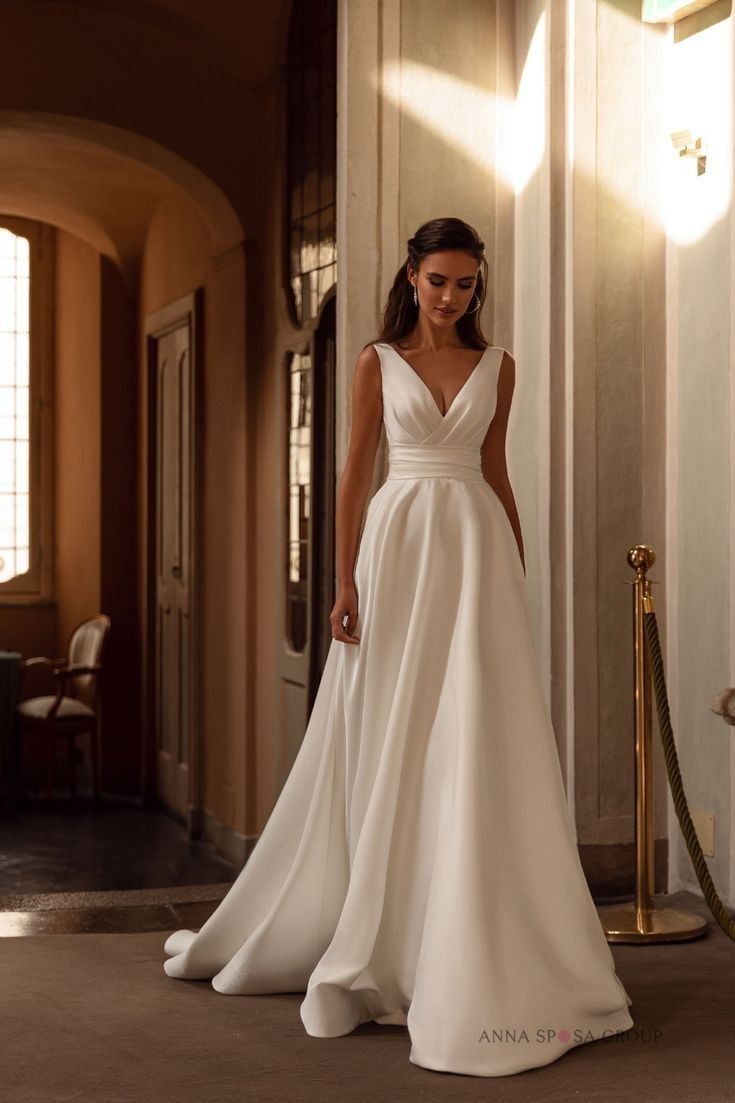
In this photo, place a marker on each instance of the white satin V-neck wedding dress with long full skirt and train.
(420, 865)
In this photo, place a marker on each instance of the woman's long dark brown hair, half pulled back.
(436, 237)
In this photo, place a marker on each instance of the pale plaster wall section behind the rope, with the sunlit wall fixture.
(699, 571)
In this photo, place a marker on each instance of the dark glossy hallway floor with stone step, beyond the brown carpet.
(72, 868)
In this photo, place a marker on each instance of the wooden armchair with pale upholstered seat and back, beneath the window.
(76, 708)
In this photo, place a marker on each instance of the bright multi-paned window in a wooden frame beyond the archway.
(26, 509)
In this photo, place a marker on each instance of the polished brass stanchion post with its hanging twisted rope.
(641, 920)
